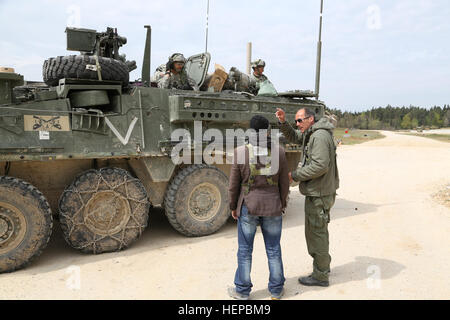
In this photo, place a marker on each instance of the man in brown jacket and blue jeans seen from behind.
(258, 195)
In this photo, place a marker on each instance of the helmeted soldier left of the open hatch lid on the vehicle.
(175, 76)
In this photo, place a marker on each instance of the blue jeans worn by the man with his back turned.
(271, 229)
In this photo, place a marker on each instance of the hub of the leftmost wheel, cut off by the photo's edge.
(12, 227)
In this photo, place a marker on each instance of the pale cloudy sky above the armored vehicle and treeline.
(375, 52)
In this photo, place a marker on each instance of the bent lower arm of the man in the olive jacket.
(319, 161)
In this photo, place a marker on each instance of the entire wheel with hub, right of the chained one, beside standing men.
(196, 201)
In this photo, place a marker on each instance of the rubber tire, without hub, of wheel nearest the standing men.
(177, 205)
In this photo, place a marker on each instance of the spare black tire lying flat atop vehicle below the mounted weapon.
(74, 66)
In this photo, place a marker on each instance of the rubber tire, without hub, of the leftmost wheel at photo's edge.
(36, 213)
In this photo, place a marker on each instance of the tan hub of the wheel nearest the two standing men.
(204, 201)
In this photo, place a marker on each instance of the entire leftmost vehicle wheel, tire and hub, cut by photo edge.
(25, 223)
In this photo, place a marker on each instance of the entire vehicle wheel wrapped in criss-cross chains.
(103, 210)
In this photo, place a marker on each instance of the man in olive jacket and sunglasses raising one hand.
(319, 179)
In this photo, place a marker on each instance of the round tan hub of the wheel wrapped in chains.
(107, 213)
